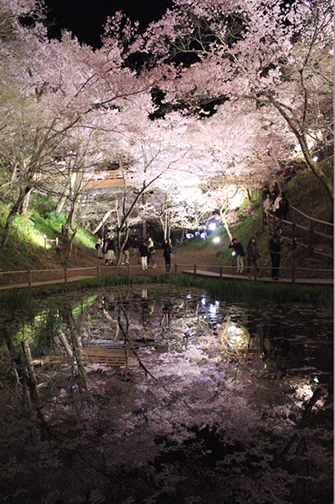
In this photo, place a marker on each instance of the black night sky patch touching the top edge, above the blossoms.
(86, 17)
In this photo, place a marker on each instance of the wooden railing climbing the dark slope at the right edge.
(314, 235)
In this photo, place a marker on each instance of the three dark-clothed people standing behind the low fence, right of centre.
(275, 249)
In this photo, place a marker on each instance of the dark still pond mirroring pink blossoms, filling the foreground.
(156, 395)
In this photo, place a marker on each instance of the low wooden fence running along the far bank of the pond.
(292, 274)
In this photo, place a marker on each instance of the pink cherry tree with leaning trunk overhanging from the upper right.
(278, 56)
